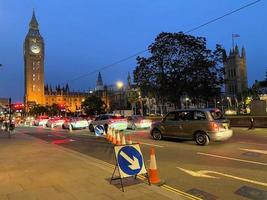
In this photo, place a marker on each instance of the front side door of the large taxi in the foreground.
(171, 125)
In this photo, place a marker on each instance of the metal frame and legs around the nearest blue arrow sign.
(117, 167)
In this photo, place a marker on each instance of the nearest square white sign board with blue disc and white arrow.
(130, 160)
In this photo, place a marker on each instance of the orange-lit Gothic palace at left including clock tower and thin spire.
(36, 92)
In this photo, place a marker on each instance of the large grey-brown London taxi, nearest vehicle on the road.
(201, 125)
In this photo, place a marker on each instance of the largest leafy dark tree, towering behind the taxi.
(180, 64)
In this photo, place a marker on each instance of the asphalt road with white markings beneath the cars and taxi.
(235, 169)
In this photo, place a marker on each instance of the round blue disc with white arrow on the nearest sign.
(130, 160)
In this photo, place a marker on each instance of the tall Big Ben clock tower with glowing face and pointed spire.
(34, 65)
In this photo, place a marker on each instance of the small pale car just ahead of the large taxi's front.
(138, 121)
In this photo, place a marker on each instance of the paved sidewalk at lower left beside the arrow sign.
(32, 169)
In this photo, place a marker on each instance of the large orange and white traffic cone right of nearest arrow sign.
(153, 171)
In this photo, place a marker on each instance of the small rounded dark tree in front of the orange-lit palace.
(93, 105)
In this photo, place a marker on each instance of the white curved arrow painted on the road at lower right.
(203, 173)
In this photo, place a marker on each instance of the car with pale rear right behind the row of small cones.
(108, 120)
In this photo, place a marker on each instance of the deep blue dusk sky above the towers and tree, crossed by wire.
(82, 36)
